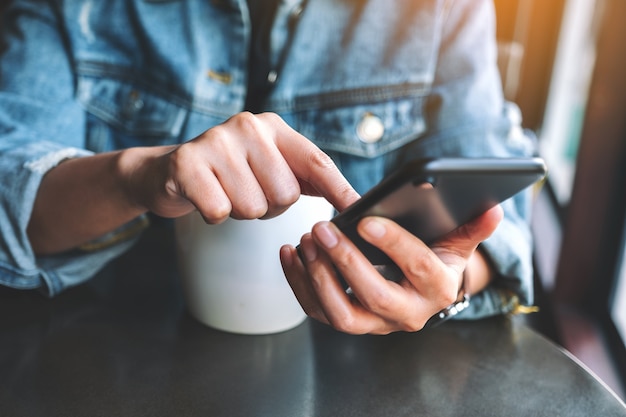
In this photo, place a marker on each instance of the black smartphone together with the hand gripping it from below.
(429, 198)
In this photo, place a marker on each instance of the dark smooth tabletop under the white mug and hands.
(123, 345)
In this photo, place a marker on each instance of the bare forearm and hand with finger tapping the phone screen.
(251, 166)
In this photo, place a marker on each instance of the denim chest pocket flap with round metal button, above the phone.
(366, 122)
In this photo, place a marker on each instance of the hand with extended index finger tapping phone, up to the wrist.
(251, 166)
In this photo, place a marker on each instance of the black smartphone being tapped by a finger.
(432, 197)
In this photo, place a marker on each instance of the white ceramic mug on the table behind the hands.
(231, 275)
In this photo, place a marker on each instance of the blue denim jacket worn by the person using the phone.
(373, 83)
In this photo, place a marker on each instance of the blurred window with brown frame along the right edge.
(583, 139)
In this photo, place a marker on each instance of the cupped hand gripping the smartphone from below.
(432, 275)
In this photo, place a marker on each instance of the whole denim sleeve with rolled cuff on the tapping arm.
(40, 125)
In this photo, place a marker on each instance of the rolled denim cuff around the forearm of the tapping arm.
(21, 172)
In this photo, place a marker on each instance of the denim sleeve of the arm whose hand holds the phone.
(467, 116)
